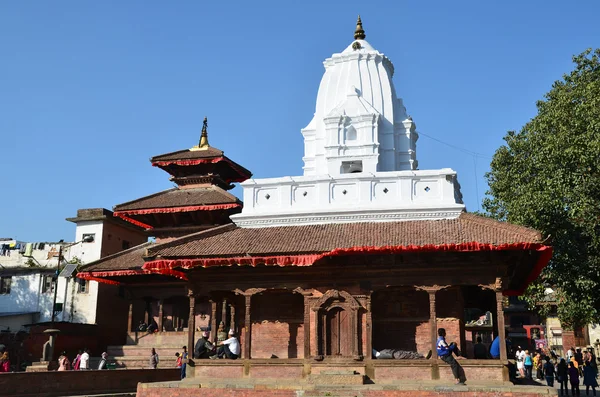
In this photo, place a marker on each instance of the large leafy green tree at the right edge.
(546, 176)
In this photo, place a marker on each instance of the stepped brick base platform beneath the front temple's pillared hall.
(344, 378)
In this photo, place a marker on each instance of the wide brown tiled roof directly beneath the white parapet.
(232, 241)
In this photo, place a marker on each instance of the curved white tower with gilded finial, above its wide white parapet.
(360, 125)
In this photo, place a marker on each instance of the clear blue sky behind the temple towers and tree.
(90, 90)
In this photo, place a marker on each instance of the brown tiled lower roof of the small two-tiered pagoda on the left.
(209, 195)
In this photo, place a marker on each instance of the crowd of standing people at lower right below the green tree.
(577, 366)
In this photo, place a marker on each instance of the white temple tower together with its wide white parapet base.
(360, 161)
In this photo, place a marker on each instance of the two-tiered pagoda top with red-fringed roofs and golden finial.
(203, 175)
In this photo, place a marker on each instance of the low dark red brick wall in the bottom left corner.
(49, 384)
